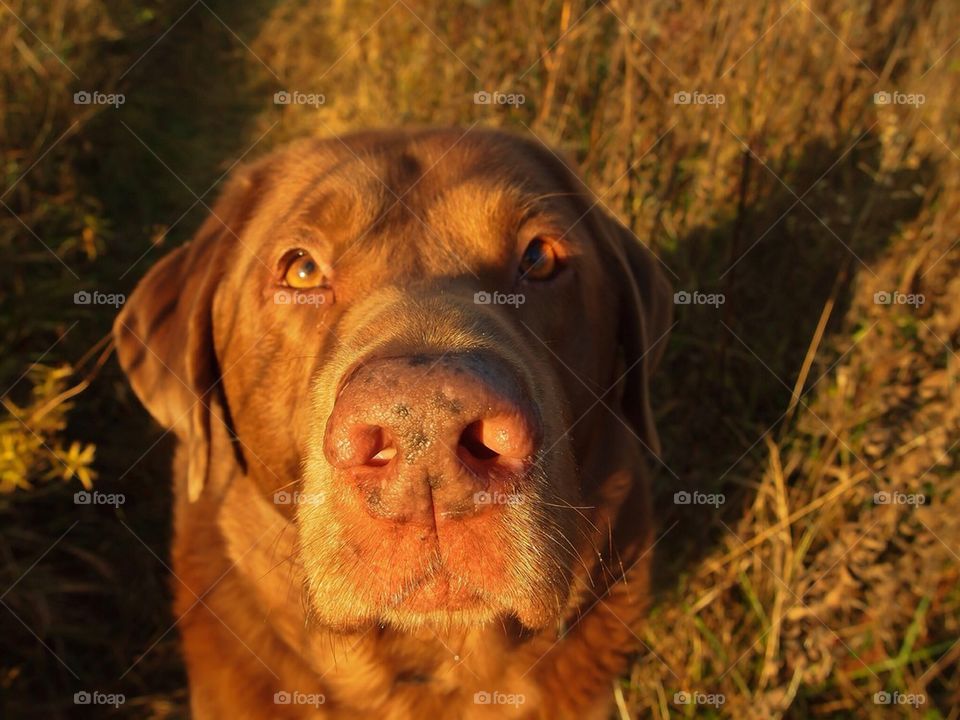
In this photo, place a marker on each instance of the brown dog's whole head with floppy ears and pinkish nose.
(409, 336)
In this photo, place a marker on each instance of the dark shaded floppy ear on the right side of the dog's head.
(645, 319)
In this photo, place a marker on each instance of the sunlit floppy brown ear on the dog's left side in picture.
(164, 334)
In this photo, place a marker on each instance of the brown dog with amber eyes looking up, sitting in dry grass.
(408, 372)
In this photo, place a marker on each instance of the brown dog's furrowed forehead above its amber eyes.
(376, 180)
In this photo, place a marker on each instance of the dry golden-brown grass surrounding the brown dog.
(799, 398)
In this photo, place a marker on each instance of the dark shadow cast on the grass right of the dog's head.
(729, 373)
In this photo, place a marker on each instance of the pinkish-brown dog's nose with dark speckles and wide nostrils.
(429, 438)
